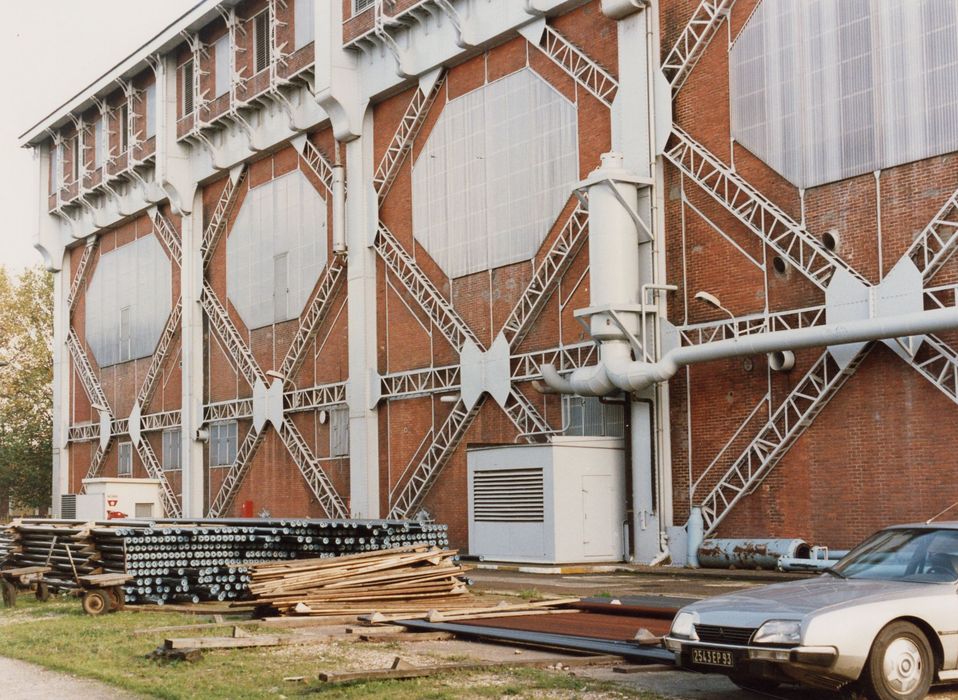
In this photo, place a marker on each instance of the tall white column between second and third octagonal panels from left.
(361, 223)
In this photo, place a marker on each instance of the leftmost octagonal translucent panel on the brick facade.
(128, 302)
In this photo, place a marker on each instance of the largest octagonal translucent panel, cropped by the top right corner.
(822, 90)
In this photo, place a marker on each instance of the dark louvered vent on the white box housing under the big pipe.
(508, 495)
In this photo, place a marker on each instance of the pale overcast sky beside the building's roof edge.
(49, 51)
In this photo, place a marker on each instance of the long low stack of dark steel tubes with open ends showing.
(194, 560)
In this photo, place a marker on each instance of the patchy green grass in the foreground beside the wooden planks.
(57, 635)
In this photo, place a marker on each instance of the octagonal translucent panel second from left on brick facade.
(282, 219)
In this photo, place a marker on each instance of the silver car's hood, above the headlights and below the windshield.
(796, 599)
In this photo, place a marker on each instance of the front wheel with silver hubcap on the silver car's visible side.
(900, 665)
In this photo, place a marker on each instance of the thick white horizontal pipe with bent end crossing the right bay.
(617, 370)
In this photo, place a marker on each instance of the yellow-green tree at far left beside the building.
(26, 389)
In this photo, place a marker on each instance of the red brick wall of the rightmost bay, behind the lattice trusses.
(876, 454)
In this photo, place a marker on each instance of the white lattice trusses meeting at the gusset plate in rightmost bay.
(935, 360)
